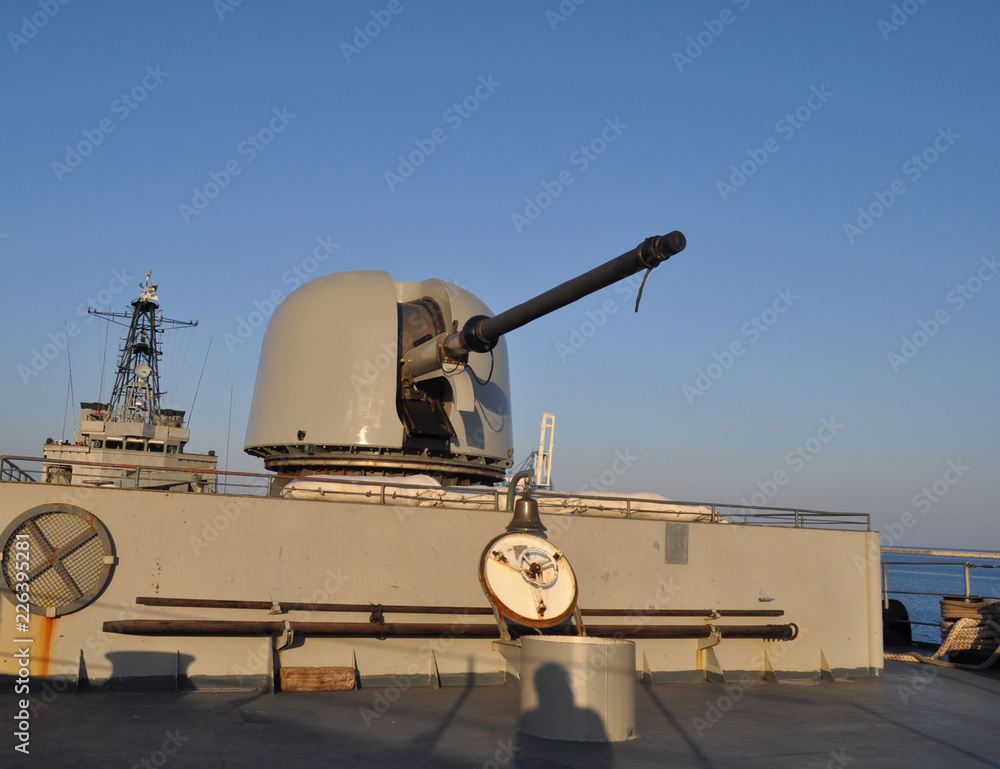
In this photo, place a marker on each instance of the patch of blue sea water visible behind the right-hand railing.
(932, 575)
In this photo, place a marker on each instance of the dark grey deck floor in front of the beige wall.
(915, 716)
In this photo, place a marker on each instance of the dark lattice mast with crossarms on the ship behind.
(136, 394)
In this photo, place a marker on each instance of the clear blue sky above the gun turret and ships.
(756, 129)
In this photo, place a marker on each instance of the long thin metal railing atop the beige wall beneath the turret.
(391, 491)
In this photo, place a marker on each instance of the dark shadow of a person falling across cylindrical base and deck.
(557, 733)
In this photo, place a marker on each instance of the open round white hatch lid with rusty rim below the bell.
(528, 579)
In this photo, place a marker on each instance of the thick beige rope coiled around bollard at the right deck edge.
(964, 627)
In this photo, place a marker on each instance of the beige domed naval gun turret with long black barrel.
(363, 375)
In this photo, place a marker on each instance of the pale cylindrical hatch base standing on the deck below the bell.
(578, 688)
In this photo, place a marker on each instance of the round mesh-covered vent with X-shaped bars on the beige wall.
(69, 559)
